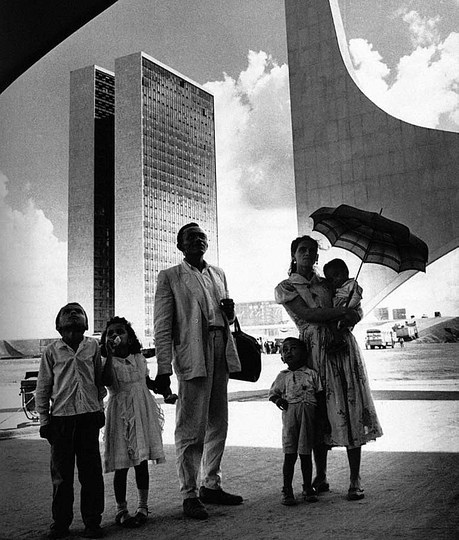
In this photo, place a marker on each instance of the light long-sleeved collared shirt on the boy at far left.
(67, 379)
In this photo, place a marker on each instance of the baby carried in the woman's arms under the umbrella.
(346, 293)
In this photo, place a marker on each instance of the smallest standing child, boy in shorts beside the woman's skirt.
(295, 391)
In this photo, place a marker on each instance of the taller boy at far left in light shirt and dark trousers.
(69, 399)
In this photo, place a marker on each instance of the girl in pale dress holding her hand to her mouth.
(133, 432)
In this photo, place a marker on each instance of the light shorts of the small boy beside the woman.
(298, 428)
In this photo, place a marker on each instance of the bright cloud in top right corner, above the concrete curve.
(424, 84)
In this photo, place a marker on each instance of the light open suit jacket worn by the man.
(181, 324)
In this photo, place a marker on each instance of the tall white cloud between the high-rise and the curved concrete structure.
(256, 204)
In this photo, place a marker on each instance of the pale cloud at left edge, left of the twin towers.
(33, 271)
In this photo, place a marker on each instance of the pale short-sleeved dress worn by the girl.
(133, 429)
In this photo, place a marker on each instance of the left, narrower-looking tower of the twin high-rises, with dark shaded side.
(91, 193)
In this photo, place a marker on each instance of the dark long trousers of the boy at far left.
(76, 437)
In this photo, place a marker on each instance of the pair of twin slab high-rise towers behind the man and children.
(163, 175)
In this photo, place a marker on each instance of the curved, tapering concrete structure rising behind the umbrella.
(348, 150)
